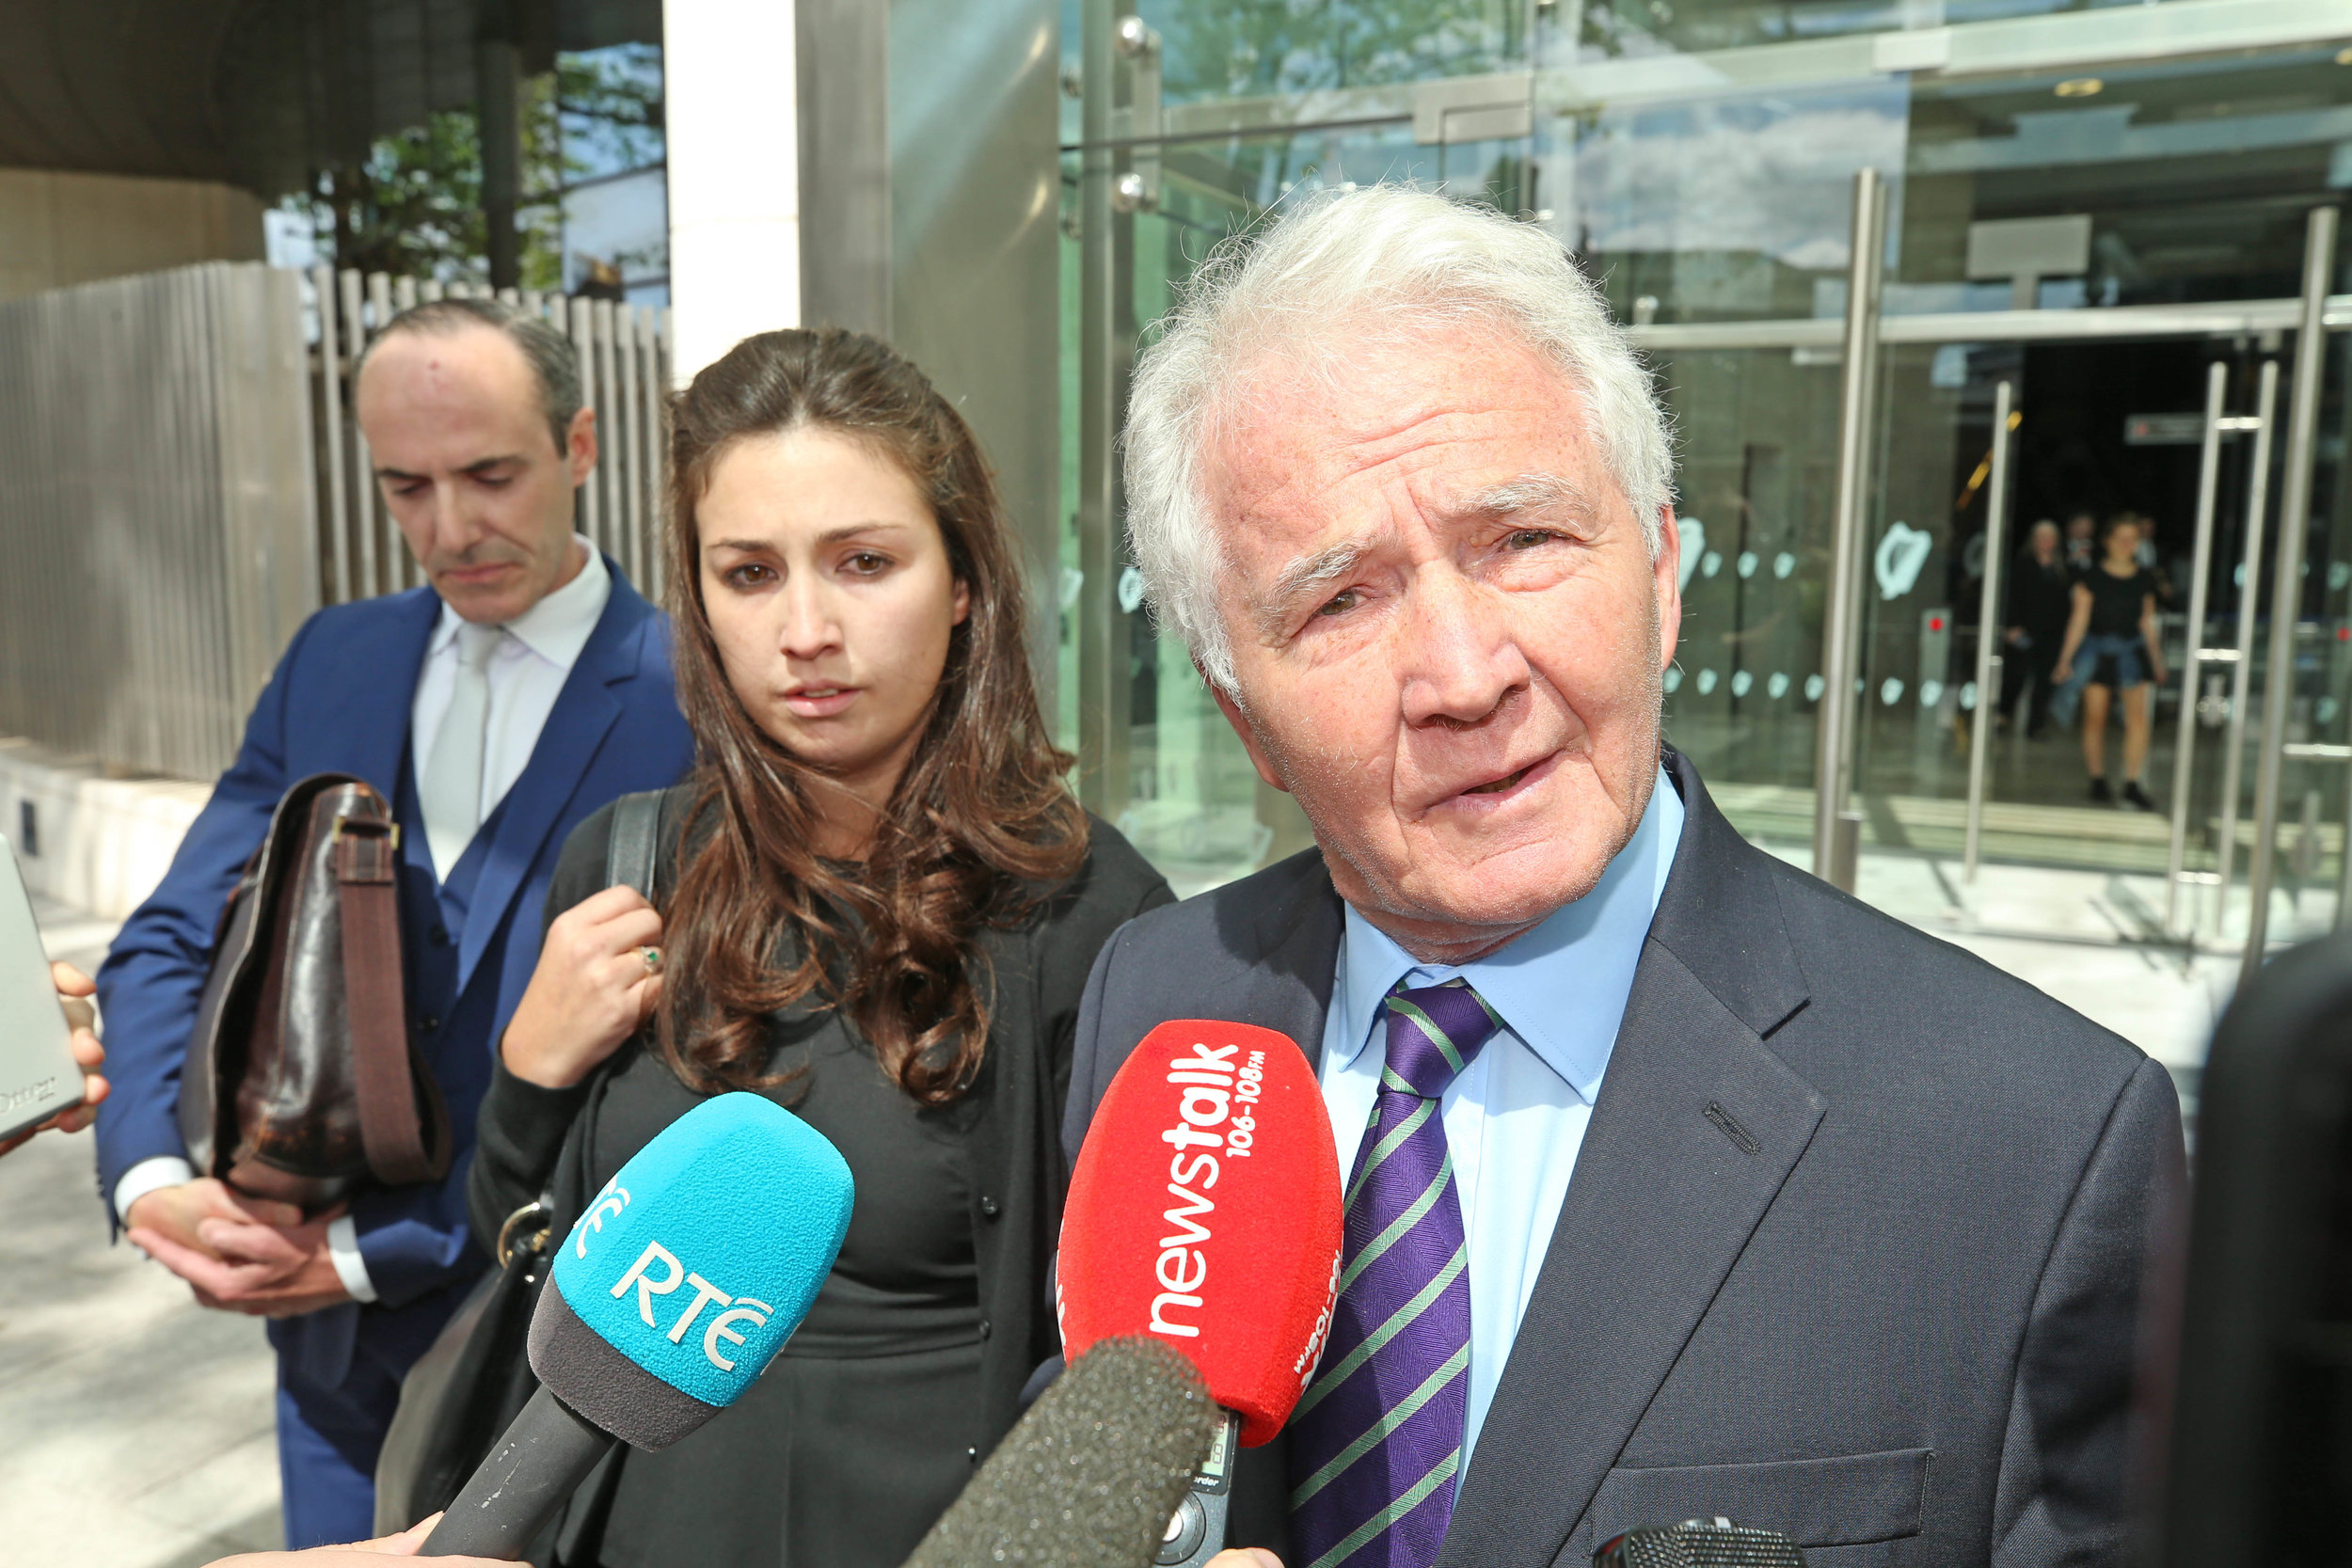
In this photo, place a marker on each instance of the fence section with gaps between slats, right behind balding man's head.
(624, 377)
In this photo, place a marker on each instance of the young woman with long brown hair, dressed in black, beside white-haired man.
(878, 906)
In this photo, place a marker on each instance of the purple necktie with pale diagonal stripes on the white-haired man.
(1379, 1435)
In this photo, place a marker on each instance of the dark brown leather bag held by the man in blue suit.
(302, 1083)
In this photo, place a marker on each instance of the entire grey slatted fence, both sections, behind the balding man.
(182, 483)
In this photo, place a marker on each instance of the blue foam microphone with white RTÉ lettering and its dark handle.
(667, 1301)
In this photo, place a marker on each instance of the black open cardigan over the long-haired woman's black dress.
(1020, 1174)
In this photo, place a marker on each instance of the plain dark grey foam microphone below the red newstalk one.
(1093, 1473)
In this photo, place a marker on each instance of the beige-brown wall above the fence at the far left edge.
(65, 229)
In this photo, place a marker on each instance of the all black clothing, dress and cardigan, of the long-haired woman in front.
(935, 1313)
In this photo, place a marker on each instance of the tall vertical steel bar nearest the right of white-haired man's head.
(1840, 634)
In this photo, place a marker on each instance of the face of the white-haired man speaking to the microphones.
(1448, 631)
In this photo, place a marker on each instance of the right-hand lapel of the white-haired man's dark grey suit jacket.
(1692, 1139)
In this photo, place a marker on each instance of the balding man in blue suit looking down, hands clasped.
(495, 709)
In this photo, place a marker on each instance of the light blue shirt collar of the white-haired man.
(1589, 946)
